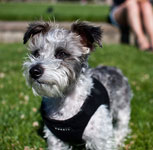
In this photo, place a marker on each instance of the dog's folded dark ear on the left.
(35, 28)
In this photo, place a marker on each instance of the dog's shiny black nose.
(36, 71)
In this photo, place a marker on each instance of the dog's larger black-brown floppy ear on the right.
(90, 35)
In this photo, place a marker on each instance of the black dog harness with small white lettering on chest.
(71, 130)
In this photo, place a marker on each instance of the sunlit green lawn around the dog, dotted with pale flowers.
(20, 121)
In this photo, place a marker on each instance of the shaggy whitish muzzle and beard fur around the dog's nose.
(55, 81)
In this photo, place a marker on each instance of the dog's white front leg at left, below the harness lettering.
(55, 143)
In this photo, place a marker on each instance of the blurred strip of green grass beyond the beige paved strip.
(61, 11)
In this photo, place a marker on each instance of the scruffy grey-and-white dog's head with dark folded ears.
(57, 56)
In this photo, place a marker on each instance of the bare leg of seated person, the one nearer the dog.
(129, 13)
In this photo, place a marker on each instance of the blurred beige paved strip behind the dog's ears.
(13, 31)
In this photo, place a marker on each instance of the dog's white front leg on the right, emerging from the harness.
(99, 131)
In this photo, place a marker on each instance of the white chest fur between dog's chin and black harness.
(72, 103)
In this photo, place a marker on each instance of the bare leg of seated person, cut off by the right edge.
(147, 14)
